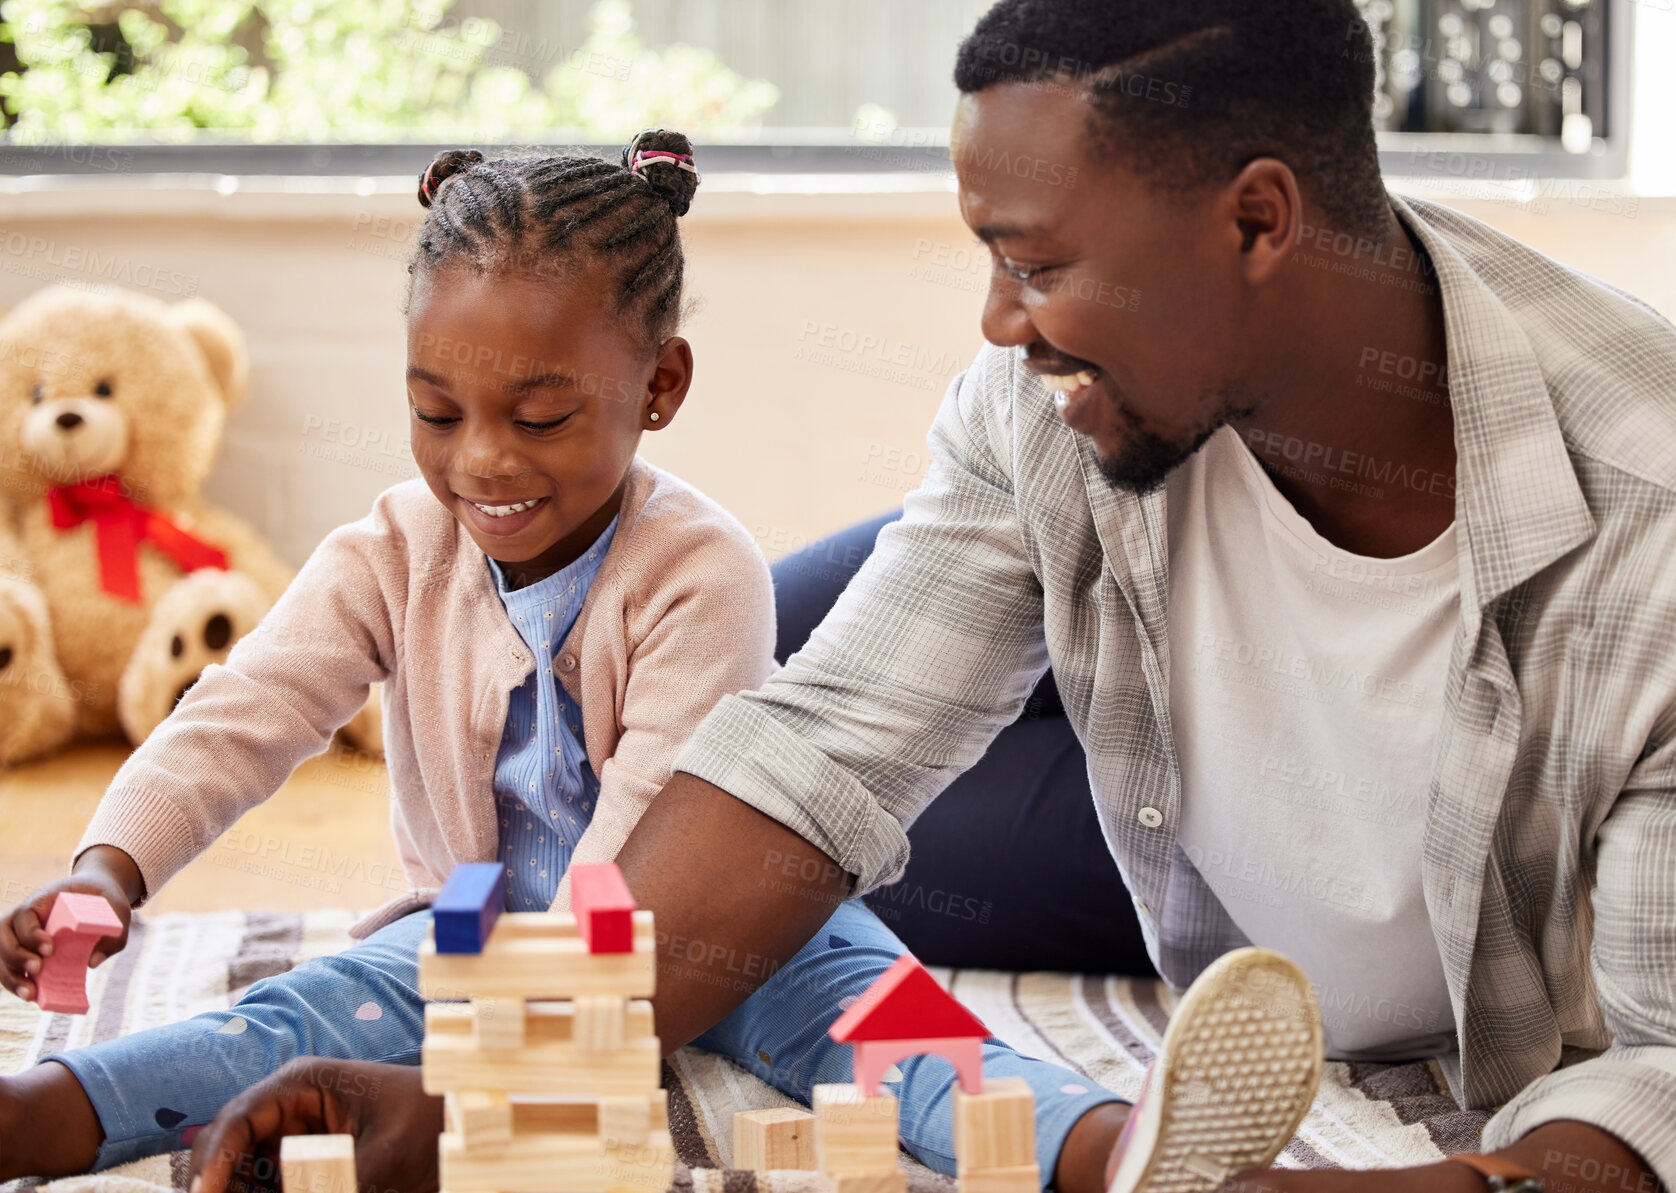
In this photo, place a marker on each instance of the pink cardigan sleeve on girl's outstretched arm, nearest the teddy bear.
(247, 723)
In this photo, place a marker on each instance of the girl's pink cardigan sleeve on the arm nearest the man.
(710, 633)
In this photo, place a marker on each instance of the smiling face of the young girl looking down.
(529, 401)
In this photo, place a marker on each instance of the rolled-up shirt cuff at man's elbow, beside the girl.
(755, 758)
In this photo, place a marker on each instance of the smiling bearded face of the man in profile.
(1125, 299)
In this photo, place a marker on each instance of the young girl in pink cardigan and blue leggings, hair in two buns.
(551, 619)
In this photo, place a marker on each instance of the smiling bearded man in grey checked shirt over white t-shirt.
(1348, 529)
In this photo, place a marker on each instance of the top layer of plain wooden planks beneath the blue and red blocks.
(541, 959)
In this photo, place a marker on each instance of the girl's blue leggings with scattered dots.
(365, 1004)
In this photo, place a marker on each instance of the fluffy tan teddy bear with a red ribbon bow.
(125, 582)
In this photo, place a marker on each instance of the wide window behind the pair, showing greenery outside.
(353, 86)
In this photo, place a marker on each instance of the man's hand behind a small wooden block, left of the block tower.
(385, 1107)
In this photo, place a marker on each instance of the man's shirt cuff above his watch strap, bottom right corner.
(1627, 1098)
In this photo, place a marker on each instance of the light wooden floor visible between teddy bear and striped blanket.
(324, 840)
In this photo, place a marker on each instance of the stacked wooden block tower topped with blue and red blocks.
(544, 1048)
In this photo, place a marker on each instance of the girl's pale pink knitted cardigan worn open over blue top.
(680, 616)
